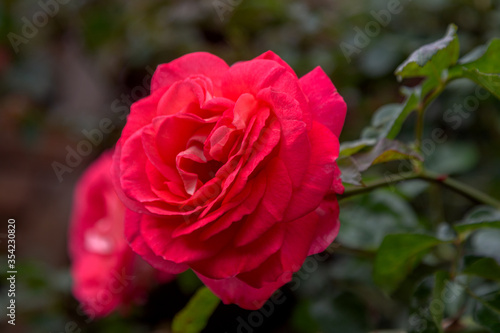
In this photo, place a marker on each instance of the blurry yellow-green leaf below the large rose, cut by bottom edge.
(194, 317)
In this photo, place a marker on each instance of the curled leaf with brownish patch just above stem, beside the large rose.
(385, 151)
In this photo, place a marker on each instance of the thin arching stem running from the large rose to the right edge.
(459, 187)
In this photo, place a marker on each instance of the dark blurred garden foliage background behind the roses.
(67, 65)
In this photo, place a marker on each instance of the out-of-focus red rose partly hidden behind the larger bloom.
(106, 272)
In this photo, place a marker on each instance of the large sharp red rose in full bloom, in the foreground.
(231, 172)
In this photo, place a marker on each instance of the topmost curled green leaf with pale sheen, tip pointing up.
(432, 59)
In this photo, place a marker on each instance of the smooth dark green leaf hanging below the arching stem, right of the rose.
(397, 256)
